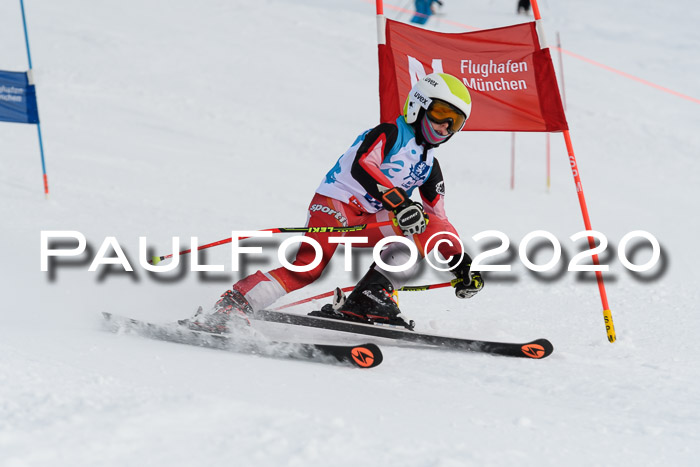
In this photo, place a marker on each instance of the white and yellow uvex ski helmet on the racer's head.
(439, 86)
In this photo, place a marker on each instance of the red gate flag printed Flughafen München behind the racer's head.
(509, 75)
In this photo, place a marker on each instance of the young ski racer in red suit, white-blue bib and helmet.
(372, 182)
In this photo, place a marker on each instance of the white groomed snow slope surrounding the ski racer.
(165, 119)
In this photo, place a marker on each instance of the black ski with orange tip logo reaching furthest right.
(539, 348)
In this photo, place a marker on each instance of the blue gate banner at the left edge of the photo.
(17, 98)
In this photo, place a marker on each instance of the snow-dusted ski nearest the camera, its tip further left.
(361, 356)
